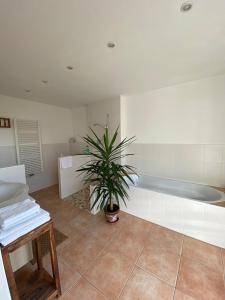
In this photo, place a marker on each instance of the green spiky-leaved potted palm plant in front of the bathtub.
(105, 171)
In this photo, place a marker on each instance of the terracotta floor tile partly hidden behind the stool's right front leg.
(68, 276)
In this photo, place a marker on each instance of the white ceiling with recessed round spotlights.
(156, 46)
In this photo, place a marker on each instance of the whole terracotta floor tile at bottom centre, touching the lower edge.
(110, 273)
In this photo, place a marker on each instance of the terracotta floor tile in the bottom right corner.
(200, 281)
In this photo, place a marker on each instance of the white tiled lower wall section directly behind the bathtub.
(196, 163)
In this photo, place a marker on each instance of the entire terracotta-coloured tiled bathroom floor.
(132, 259)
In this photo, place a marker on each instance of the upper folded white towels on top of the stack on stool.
(17, 213)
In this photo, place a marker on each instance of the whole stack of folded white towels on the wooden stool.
(20, 218)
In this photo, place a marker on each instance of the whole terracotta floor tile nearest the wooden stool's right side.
(82, 251)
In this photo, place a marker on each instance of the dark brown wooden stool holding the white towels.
(41, 284)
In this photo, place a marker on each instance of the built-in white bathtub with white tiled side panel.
(180, 206)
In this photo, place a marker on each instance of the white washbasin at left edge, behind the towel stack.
(12, 192)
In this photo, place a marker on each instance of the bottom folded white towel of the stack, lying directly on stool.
(8, 236)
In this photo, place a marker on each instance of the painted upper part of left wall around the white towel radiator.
(56, 123)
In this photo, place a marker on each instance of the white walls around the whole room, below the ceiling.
(179, 130)
